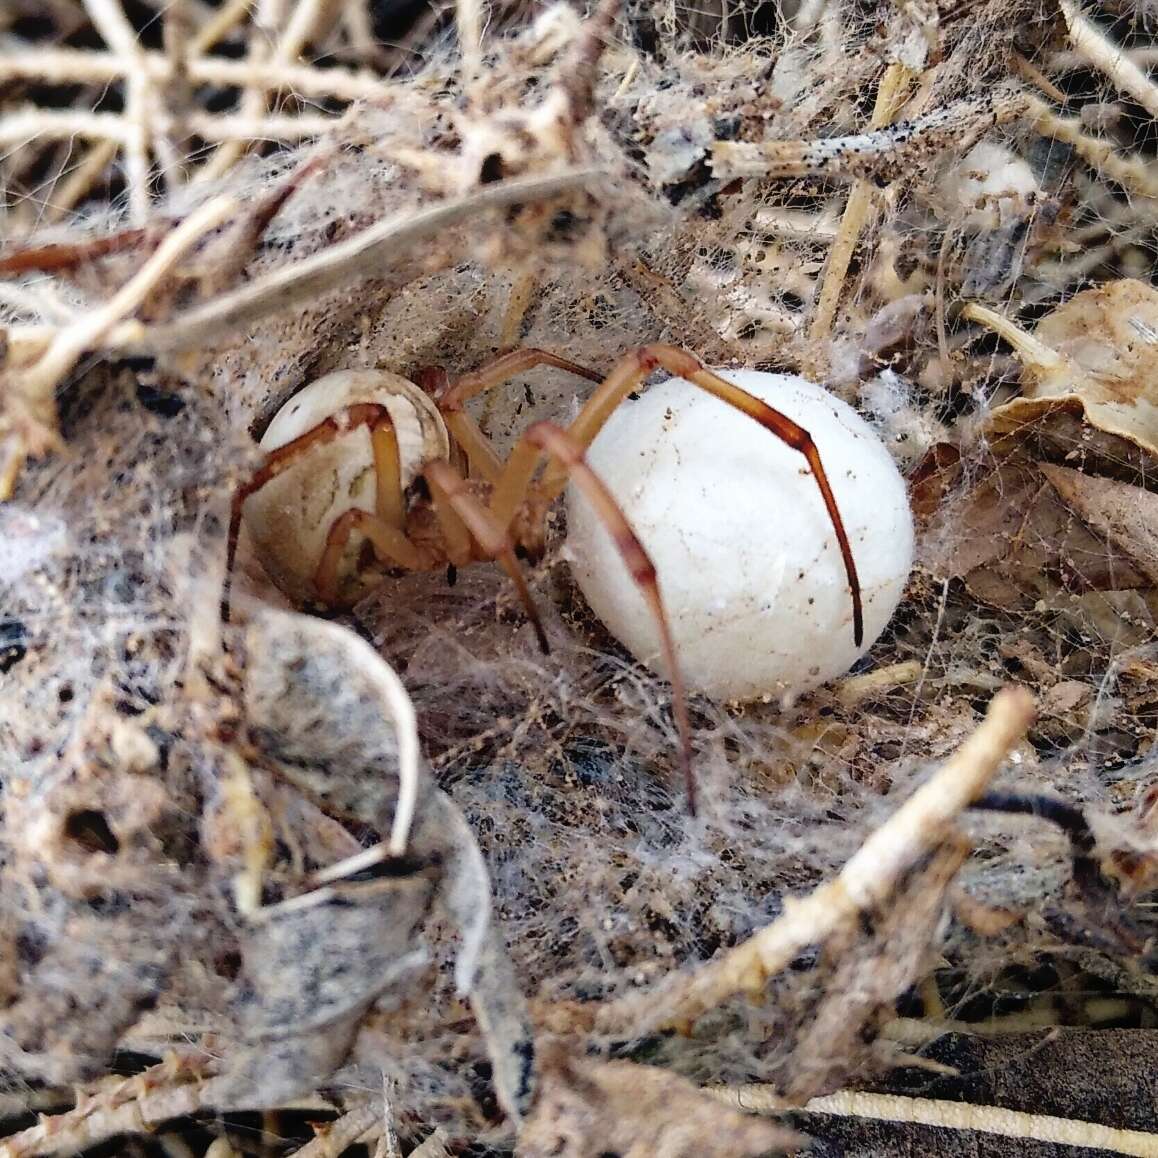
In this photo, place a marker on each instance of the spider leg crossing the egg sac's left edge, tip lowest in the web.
(569, 453)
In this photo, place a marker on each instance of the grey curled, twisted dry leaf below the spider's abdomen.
(332, 720)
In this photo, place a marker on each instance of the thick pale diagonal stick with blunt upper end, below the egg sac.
(867, 881)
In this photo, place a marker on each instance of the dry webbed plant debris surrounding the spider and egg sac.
(397, 880)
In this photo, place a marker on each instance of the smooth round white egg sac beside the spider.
(749, 565)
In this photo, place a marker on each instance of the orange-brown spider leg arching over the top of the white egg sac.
(627, 376)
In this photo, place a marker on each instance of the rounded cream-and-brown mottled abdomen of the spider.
(290, 518)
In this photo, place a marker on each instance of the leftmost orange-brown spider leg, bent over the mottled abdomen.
(384, 441)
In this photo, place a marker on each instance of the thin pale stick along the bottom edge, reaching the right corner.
(955, 1116)
